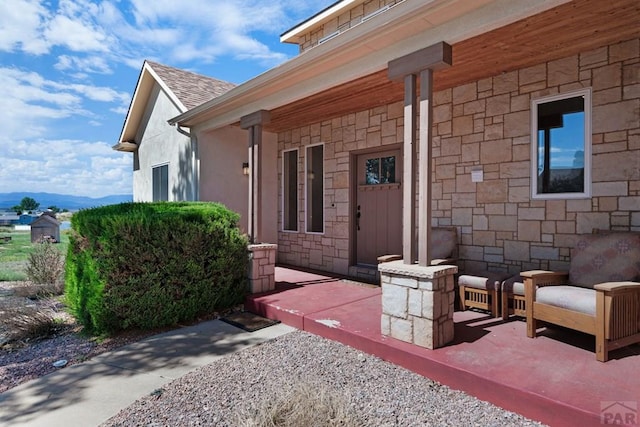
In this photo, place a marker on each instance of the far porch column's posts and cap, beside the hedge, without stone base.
(253, 123)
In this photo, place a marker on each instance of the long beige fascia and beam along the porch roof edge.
(362, 50)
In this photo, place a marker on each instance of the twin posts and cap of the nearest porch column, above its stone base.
(407, 68)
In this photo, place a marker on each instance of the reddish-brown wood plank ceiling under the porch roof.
(559, 32)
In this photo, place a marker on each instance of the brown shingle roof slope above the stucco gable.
(191, 89)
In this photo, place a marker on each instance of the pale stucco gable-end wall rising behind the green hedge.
(160, 143)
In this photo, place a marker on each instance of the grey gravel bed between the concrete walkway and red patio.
(376, 393)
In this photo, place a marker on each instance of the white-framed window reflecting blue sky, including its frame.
(561, 146)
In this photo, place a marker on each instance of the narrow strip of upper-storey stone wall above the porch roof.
(346, 20)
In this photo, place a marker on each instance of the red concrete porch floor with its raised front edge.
(554, 378)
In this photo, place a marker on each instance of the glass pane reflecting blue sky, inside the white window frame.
(561, 146)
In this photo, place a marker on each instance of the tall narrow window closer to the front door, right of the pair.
(314, 188)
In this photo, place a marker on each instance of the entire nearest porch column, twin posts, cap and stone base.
(417, 299)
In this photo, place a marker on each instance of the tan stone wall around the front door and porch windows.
(487, 123)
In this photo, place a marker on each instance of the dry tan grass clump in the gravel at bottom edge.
(305, 405)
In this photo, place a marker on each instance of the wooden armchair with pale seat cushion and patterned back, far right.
(600, 295)
